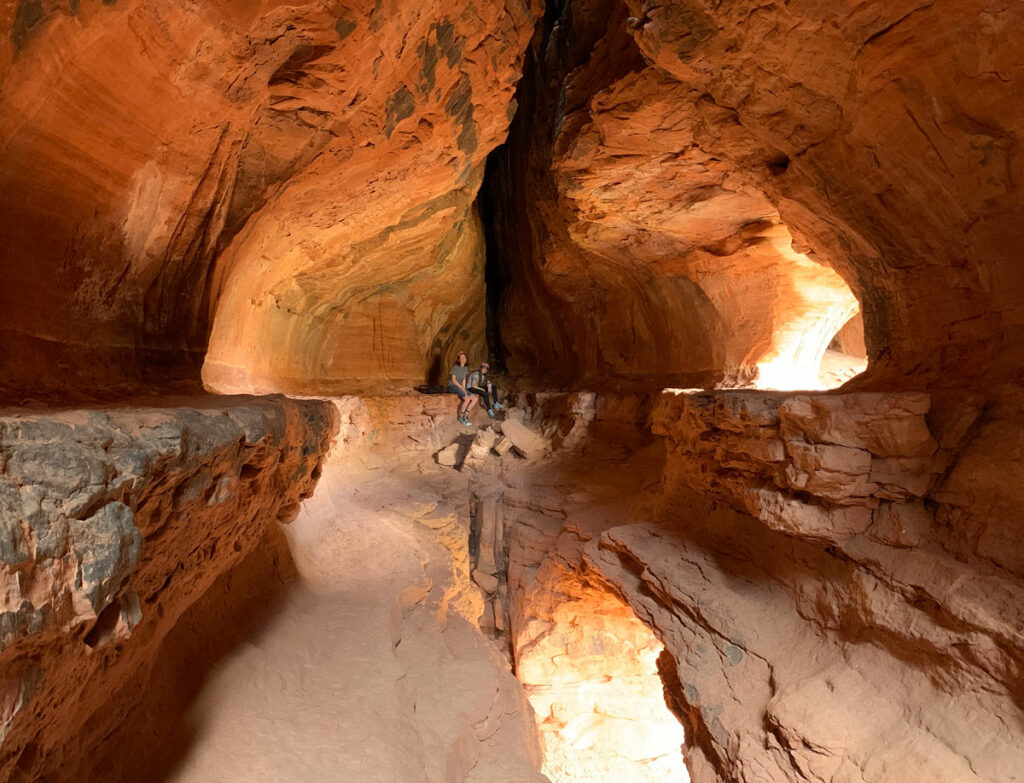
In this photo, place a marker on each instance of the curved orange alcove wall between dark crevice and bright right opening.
(630, 255)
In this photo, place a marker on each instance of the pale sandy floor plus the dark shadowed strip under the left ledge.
(367, 668)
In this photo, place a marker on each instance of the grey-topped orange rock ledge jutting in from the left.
(113, 523)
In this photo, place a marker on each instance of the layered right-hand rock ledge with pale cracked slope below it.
(836, 602)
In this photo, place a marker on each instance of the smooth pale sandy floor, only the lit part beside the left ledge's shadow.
(372, 670)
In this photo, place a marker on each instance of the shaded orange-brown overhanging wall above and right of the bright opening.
(888, 137)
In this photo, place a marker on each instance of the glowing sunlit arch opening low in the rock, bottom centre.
(589, 668)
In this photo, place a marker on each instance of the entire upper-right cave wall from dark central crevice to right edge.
(639, 207)
